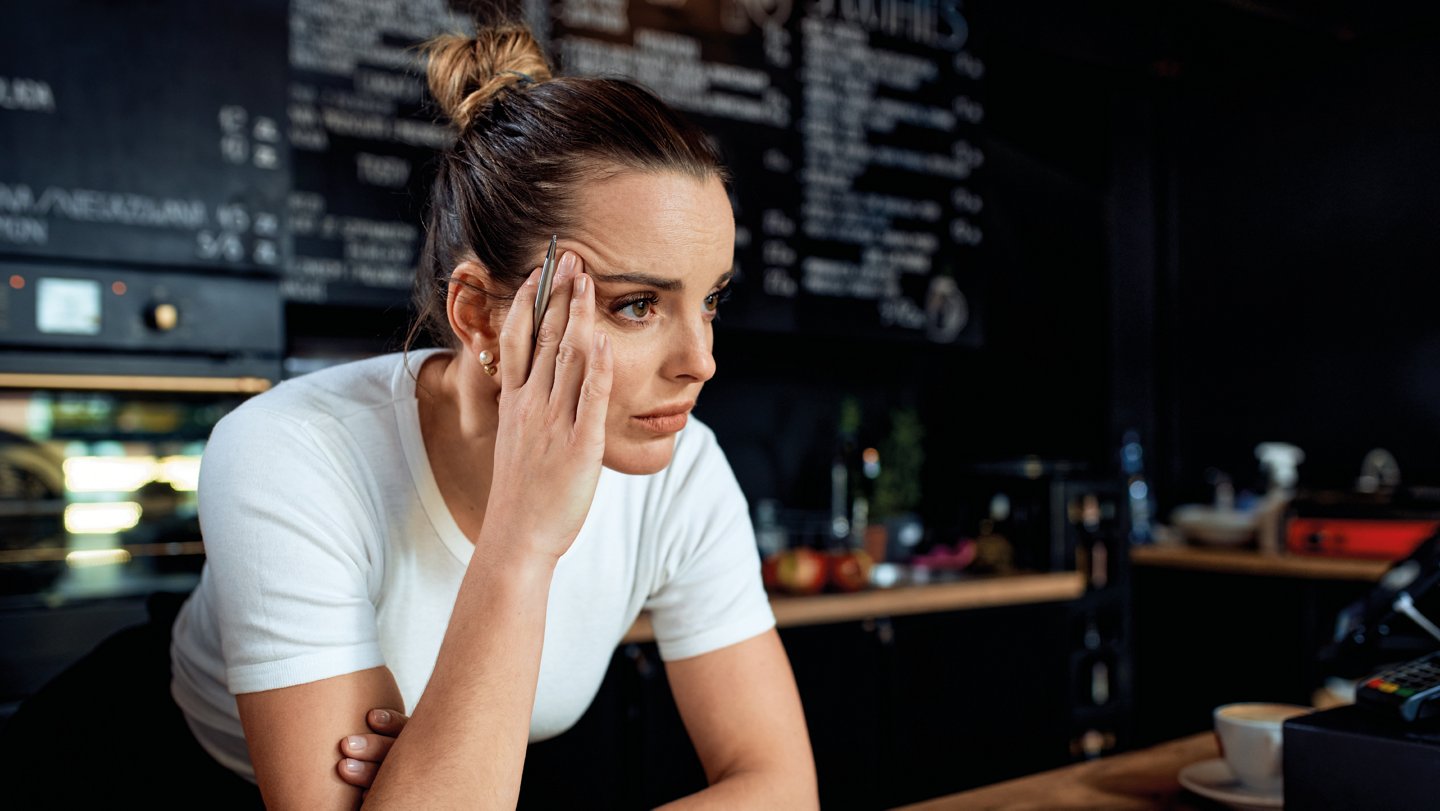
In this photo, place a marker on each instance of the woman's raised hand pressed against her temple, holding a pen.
(554, 401)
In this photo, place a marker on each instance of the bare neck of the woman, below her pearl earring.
(460, 410)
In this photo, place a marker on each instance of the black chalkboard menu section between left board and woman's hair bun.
(362, 135)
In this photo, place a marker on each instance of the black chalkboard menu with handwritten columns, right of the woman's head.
(850, 127)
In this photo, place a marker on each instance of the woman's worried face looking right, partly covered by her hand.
(660, 248)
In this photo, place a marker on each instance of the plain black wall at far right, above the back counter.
(1307, 181)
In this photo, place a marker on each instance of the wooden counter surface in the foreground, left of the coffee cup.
(1135, 781)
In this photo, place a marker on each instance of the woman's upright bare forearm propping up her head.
(466, 741)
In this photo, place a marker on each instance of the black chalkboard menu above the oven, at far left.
(148, 135)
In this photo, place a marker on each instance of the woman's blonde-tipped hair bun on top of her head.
(469, 73)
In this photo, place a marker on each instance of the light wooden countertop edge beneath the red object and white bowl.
(1252, 563)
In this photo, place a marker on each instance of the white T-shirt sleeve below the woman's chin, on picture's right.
(711, 596)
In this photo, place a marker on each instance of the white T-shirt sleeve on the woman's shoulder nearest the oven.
(290, 548)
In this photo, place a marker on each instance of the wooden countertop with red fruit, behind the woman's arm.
(931, 599)
